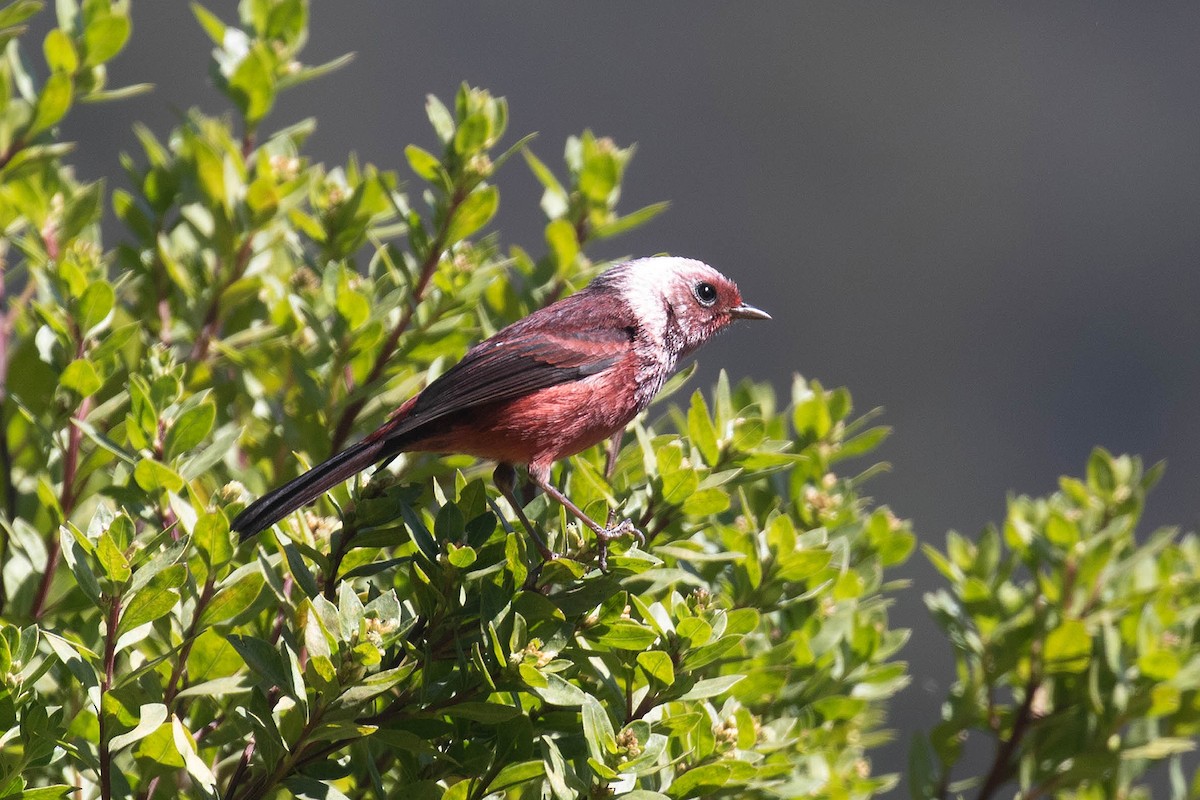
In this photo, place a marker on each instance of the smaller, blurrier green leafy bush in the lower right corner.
(1077, 651)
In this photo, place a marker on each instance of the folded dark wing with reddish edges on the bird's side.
(537, 353)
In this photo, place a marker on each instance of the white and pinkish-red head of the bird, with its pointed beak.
(680, 303)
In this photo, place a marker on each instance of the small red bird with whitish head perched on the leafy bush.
(545, 388)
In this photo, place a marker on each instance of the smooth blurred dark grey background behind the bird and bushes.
(982, 219)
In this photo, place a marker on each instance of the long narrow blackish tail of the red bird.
(273, 507)
